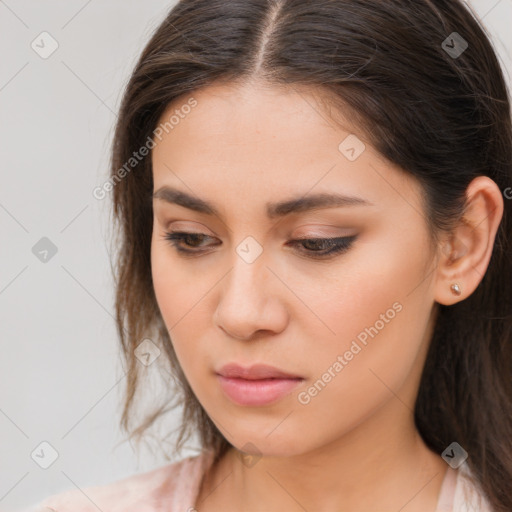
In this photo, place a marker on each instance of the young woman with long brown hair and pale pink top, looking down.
(314, 207)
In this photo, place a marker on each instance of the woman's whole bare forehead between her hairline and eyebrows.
(243, 142)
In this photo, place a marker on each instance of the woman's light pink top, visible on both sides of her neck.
(175, 487)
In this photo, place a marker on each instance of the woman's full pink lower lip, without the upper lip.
(257, 392)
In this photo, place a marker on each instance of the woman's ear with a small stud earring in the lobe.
(466, 251)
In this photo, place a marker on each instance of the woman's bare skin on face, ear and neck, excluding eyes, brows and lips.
(354, 446)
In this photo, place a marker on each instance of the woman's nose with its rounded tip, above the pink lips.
(251, 301)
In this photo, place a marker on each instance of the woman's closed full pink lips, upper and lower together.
(256, 385)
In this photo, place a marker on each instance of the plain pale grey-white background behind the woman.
(61, 374)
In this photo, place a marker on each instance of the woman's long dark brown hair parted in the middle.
(442, 117)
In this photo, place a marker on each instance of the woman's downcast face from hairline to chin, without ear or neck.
(354, 325)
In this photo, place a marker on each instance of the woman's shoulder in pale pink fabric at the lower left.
(170, 487)
